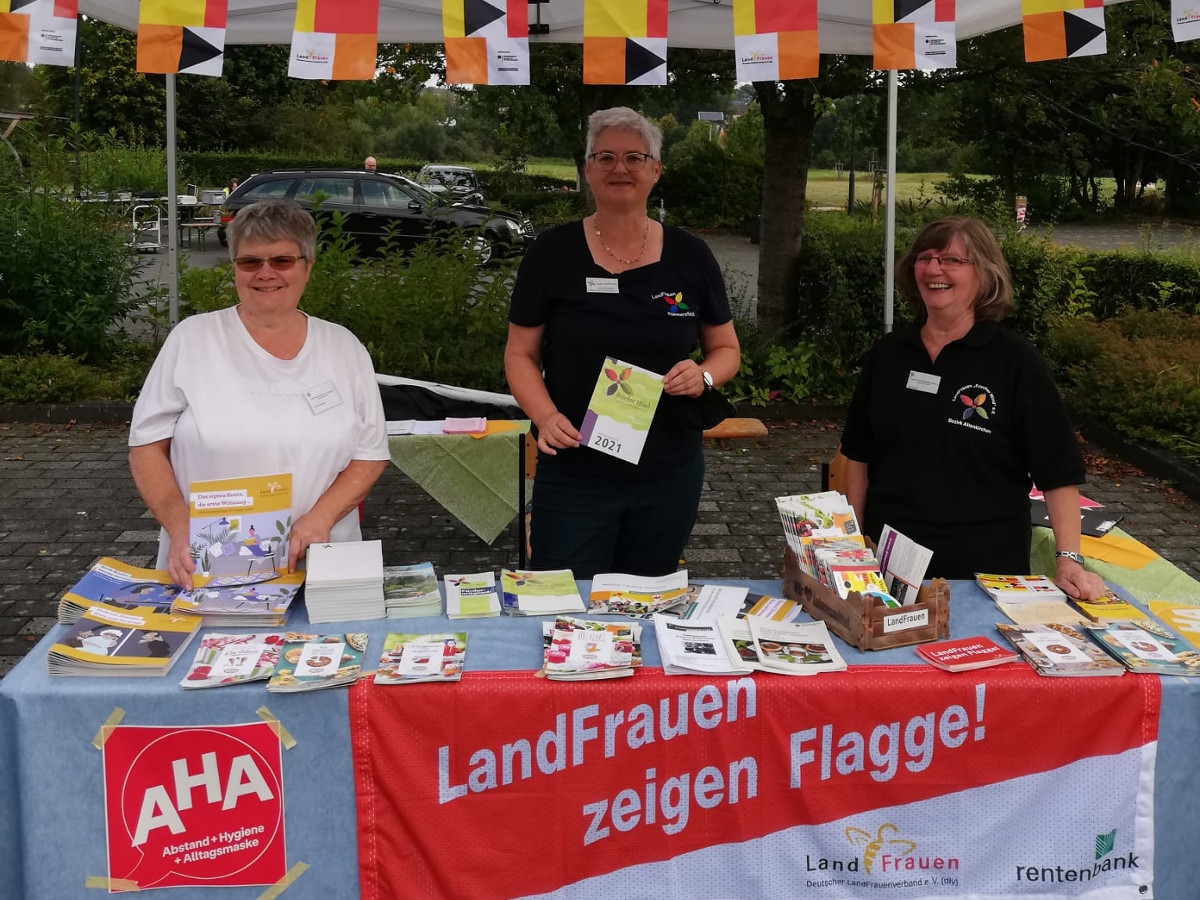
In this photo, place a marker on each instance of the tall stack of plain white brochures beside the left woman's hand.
(345, 583)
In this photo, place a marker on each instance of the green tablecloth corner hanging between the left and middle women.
(476, 479)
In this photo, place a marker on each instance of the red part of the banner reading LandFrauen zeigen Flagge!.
(506, 785)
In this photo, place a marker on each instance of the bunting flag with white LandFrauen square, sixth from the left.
(776, 40)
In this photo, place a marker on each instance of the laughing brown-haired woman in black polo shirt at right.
(956, 417)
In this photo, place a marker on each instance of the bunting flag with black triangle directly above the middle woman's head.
(625, 41)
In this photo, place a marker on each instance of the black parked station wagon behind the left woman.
(375, 202)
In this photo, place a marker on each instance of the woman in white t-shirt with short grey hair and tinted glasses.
(261, 389)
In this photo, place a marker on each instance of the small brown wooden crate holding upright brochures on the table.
(867, 623)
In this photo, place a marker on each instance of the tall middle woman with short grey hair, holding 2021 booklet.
(616, 285)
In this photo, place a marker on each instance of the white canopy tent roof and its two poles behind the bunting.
(844, 27)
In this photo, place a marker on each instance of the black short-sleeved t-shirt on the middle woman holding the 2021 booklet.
(647, 316)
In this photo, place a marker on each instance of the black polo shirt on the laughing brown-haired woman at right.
(953, 447)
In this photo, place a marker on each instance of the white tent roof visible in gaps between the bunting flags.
(845, 26)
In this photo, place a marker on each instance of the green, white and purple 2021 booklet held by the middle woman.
(621, 411)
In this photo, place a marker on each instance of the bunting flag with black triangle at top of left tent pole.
(184, 37)
